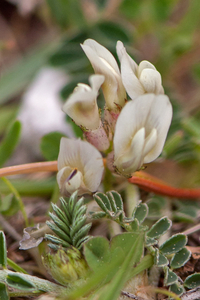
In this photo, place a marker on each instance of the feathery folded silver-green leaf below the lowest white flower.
(68, 223)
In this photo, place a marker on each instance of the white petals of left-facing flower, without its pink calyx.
(82, 107)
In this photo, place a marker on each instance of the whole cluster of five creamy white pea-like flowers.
(132, 132)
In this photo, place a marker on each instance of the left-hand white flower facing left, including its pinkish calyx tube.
(82, 107)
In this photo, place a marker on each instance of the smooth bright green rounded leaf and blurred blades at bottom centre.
(117, 271)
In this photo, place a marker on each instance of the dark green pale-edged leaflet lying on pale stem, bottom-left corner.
(18, 281)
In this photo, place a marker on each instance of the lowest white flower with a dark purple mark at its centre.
(80, 167)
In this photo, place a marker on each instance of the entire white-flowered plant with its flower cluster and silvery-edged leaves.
(118, 141)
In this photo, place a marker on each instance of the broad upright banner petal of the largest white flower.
(154, 113)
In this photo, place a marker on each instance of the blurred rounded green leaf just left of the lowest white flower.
(50, 145)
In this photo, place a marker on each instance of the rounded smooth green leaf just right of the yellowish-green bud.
(97, 252)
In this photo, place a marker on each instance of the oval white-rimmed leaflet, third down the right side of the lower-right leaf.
(173, 244)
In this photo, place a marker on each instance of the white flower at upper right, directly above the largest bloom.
(140, 79)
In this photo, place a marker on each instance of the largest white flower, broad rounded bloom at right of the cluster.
(140, 132)
